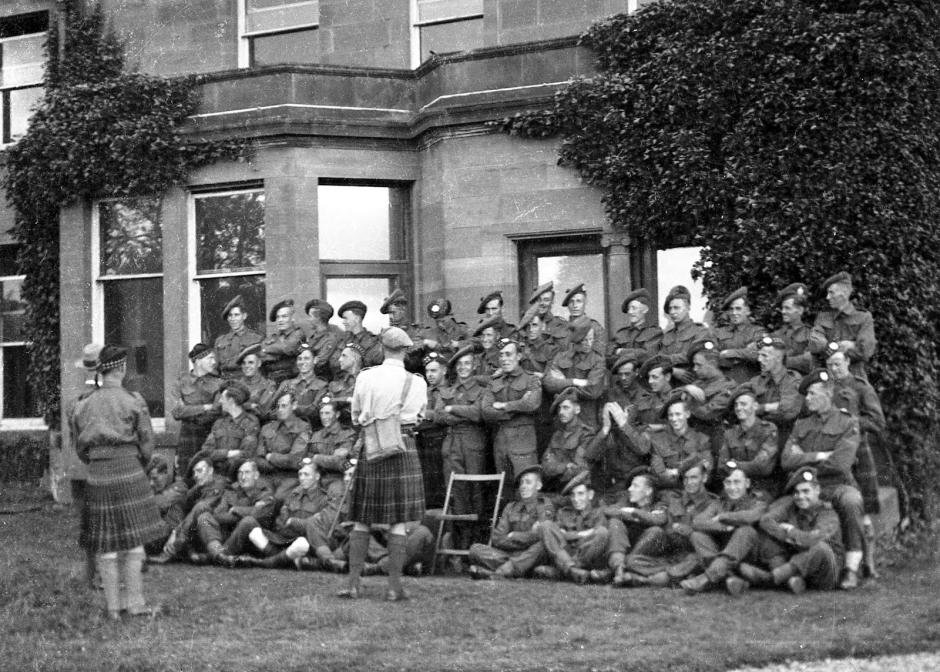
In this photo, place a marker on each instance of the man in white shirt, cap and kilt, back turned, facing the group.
(387, 487)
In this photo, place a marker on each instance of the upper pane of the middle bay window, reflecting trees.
(230, 232)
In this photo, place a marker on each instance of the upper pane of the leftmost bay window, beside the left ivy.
(131, 236)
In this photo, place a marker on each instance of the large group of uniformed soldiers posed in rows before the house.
(733, 455)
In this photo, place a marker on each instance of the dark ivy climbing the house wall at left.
(98, 131)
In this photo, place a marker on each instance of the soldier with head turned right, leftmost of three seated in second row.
(234, 436)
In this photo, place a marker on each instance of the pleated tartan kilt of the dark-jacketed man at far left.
(122, 512)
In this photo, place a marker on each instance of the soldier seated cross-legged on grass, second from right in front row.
(723, 534)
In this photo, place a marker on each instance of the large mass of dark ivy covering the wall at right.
(790, 139)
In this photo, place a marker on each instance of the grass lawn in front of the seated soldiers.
(218, 619)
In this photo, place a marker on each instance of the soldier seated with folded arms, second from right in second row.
(751, 443)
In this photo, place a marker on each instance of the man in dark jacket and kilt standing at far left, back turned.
(114, 438)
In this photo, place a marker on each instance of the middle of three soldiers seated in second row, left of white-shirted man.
(282, 443)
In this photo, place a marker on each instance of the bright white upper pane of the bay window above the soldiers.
(354, 222)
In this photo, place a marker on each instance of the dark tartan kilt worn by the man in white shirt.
(388, 491)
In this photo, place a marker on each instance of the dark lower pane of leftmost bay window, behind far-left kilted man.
(133, 318)
